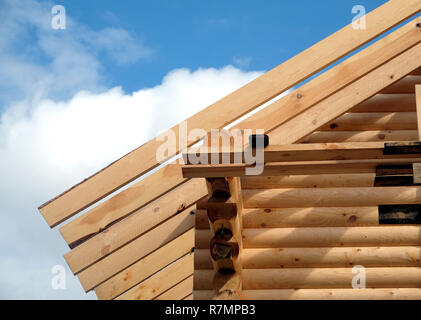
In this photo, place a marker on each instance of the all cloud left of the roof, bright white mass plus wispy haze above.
(63, 124)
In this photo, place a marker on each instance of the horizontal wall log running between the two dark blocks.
(330, 197)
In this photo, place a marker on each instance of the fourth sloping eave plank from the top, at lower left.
(135, 250)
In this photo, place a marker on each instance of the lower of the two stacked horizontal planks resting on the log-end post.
(297, 168)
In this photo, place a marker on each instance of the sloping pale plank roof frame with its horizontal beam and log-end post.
(101, 259)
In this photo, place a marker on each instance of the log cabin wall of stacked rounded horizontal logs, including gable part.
(302, 234)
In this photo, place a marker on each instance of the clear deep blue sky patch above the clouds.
(191, 34)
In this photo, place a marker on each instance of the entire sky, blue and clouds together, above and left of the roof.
(74, 100)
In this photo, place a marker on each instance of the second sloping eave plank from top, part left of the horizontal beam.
(123, 204)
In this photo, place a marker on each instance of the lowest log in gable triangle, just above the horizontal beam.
(360, 136)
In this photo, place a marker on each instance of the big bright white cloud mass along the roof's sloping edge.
(47, 146)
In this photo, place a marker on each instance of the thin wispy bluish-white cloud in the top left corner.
(36, 60)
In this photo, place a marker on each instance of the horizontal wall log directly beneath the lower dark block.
(332, 237)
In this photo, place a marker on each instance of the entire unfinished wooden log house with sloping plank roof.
(339, 195)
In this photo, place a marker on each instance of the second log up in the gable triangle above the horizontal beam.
(373, 121)
